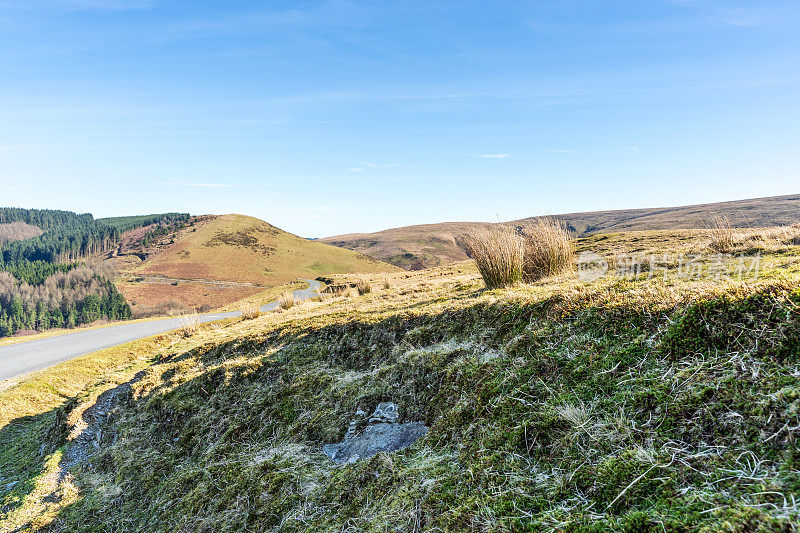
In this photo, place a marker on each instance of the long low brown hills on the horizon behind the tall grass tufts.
(428, 245)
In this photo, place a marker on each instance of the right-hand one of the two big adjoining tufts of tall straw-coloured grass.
(548, 250)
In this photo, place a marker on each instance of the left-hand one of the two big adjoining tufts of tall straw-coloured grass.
(498, 254)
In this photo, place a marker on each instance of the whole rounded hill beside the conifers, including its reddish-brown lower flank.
(210, 261)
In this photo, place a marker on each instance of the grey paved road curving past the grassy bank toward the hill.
(21, 358)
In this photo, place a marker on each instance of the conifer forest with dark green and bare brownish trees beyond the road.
(41, 284)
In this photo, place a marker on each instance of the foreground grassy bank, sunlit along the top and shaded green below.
(626, 404)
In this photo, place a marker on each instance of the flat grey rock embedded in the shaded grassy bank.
(383, 434)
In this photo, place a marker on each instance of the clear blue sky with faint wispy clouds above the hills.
(333, 117)
